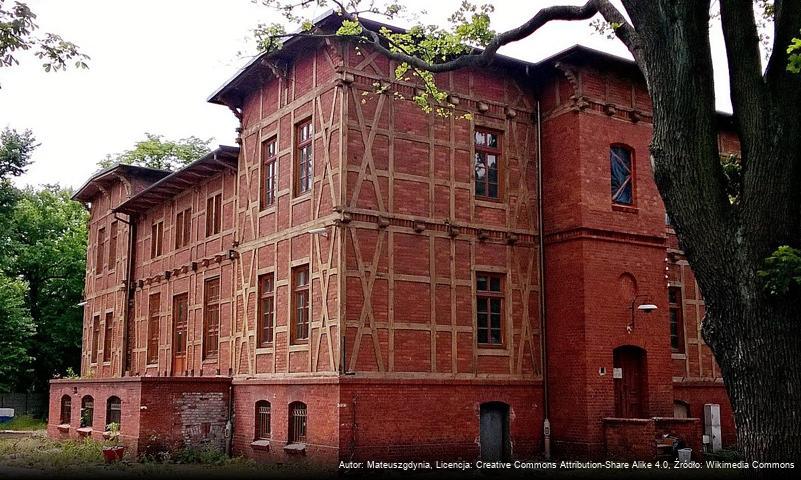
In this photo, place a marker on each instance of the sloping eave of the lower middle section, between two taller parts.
(222, 158)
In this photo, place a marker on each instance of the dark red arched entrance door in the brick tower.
(631, 387)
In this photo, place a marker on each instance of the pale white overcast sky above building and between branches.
(154, 63)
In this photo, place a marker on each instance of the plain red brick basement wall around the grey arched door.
(433, 419)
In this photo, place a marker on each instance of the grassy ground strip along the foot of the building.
(36, 455)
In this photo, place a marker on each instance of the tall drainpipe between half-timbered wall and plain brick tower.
(546, 424)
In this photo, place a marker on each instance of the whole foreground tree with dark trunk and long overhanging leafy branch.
(754, 331)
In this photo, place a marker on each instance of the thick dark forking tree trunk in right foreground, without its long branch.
(756, 338)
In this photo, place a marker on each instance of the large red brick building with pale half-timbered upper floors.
(359, 279)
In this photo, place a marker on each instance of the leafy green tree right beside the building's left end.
(44, 247)
